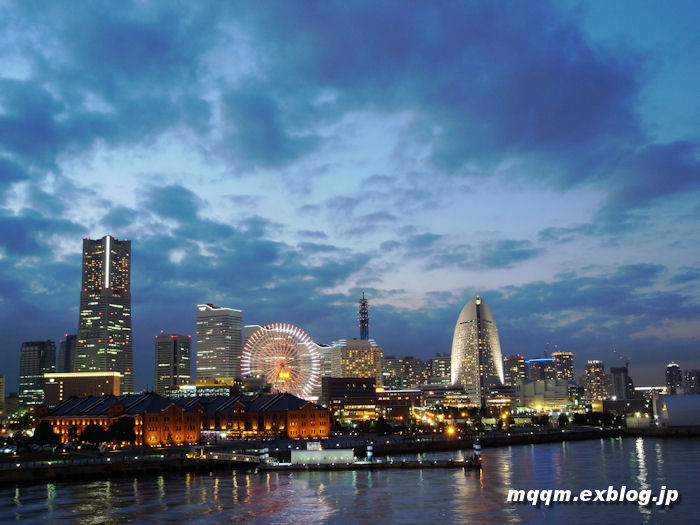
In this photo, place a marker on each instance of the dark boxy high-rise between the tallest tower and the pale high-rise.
(173, 367)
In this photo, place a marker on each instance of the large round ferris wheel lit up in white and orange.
(284, 356)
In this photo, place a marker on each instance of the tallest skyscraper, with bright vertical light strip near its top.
(104, 330)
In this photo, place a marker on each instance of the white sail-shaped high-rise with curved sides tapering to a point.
(477, 363)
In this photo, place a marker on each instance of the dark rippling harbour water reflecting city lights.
(389, 496)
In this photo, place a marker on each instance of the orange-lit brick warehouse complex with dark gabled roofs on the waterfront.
(162, 421)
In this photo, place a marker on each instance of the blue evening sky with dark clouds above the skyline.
(281, 157)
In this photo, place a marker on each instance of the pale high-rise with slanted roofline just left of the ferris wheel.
(219, 341)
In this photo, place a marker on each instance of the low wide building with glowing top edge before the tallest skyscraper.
(61, 386)
